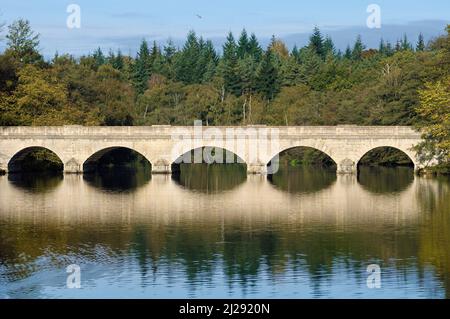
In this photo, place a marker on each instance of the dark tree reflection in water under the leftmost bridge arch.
(37, 182)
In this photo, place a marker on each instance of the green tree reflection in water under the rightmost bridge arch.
(384, 180)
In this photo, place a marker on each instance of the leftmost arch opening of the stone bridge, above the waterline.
(17, 162)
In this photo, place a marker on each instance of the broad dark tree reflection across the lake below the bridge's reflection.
(246, 252)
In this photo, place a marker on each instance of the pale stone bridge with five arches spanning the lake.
(77, 146)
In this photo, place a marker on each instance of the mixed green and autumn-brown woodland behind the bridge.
(397, 84)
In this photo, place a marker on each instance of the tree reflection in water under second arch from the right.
(303, 179)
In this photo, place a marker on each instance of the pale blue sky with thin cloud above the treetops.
(123, 24)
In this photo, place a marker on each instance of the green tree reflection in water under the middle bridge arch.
(210, 178)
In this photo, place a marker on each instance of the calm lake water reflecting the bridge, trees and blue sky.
(213, 232)
